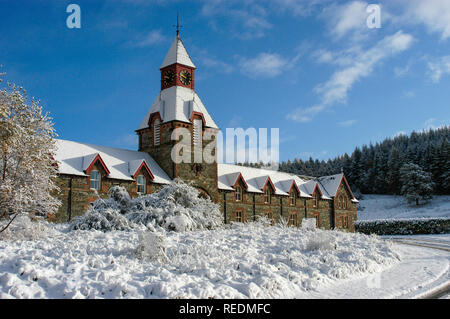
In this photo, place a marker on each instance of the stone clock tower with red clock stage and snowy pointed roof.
(176, 107)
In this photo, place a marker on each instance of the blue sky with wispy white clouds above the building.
(311, 68)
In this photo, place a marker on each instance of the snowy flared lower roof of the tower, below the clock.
(178, 103)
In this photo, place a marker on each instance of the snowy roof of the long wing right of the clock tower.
(256, 179)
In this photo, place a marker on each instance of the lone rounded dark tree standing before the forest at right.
(416, 183)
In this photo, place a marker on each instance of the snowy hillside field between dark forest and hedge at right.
(396, 207)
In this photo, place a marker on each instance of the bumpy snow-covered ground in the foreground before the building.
(241, 261)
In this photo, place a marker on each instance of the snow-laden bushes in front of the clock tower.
(176, 207)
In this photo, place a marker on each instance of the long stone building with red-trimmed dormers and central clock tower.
(243, 193)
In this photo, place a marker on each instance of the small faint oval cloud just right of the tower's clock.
(264, 65)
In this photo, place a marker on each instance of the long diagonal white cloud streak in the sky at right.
(360, 65)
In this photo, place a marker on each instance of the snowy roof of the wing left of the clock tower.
(72, 158)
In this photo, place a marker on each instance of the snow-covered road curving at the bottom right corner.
(423, 272)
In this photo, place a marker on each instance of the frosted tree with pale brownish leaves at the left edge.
(27, 165)
